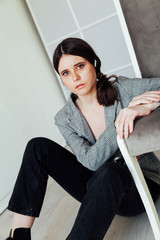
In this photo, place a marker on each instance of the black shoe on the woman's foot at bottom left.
(21, 234)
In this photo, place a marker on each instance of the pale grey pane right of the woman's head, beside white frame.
(107, 38)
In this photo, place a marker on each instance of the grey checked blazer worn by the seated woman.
(92, 154)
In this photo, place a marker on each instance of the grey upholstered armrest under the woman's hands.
(146, 135)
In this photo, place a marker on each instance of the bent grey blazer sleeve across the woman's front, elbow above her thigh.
(91, 156)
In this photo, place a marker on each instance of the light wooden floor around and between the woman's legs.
(58, 214)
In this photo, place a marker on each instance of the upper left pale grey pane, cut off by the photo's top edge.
(53, 17)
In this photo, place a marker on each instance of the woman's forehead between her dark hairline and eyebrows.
(67, 61)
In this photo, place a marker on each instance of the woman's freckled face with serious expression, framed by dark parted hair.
(77, 74)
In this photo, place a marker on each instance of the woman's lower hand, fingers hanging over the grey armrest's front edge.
(125, 120)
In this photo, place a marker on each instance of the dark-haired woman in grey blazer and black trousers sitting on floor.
(95, 174)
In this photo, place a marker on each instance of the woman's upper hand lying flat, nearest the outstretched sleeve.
(145, 98)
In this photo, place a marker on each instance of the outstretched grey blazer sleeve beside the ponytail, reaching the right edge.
(138, 86)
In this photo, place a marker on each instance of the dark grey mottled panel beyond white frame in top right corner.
(143, 22)
